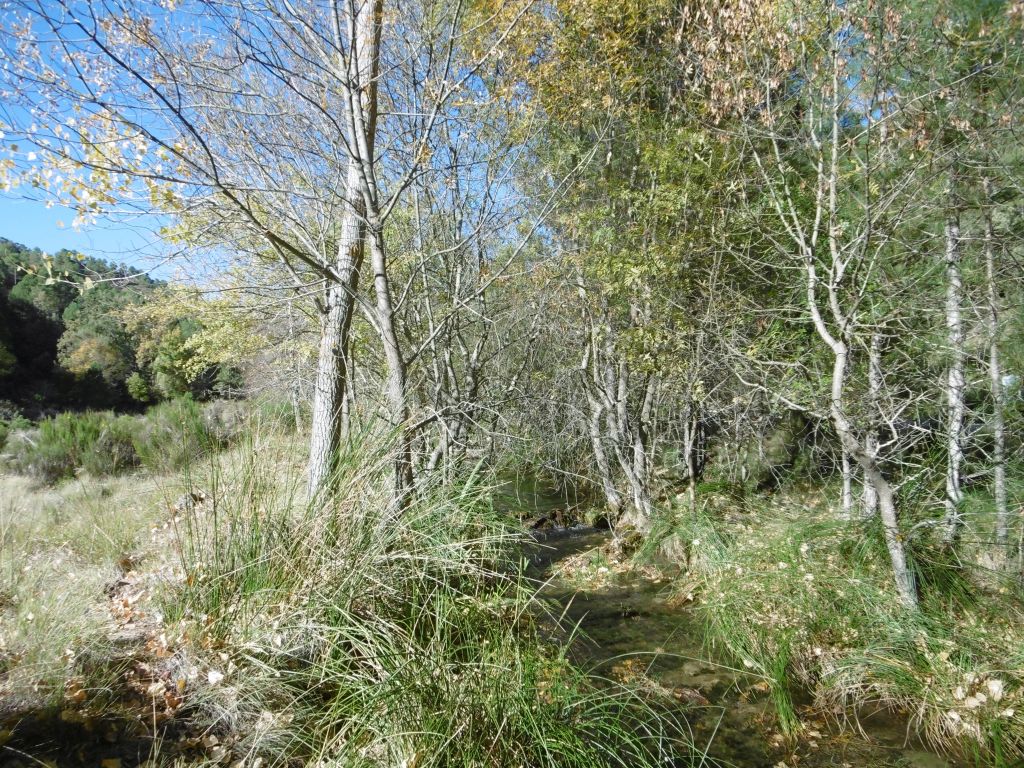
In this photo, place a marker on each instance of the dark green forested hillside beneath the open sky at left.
(68, 340)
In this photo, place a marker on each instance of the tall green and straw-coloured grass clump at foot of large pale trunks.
(358, 633)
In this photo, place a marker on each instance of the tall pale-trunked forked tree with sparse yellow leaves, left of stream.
(135, 106)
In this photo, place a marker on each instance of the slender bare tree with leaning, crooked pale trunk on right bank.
(836, 240)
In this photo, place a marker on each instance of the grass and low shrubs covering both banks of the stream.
(201, 609)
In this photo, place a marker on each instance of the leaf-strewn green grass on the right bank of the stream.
(805, 602)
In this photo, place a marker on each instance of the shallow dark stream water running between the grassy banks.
(628, 629)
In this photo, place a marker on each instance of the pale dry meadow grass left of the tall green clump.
(62, 551)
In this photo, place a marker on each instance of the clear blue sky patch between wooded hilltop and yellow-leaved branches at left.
(31, 224)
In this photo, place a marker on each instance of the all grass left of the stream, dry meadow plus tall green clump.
(344, 633)
